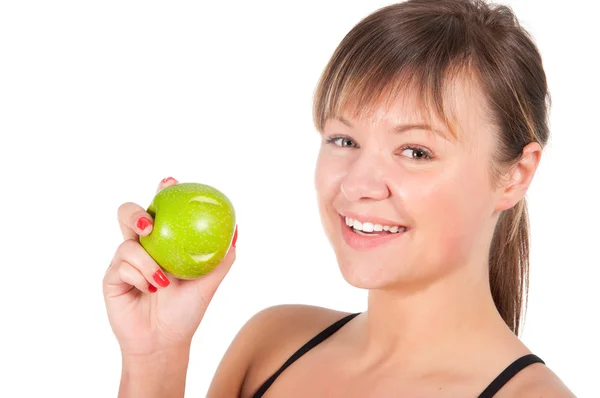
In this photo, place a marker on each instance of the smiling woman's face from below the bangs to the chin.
(375, 171)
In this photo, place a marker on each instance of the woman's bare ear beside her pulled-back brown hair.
(519, 176)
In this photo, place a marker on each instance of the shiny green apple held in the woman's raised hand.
(193, 228)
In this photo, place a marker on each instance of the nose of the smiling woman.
(365, 180)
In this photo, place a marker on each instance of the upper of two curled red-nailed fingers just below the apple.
(133, 253)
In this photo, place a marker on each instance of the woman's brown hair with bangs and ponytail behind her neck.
(422, 44)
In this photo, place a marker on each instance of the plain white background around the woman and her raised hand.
(100, 100)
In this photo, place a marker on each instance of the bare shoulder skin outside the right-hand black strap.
(539, 381)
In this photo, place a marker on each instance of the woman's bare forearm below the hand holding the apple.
(160, 375)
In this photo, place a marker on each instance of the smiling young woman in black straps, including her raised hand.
(433, 116)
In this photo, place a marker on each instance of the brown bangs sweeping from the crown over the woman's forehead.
(375, 64)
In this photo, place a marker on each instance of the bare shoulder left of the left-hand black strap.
(263, 344)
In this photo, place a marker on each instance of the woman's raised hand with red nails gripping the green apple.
(153, 317)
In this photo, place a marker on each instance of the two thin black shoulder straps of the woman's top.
(489, 391)
